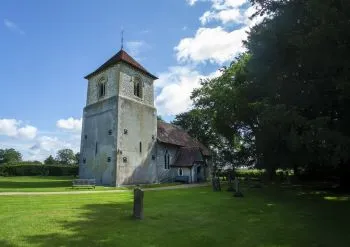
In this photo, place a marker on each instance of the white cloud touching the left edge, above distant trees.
(12, 128)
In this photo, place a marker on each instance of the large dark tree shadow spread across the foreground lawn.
(199, 217)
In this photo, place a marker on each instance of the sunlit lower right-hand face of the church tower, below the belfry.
(136, 126)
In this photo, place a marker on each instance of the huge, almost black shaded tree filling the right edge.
(300, 55)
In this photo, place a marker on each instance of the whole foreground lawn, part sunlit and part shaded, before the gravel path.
(265, 217)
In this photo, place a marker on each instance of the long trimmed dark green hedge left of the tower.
(38, 169)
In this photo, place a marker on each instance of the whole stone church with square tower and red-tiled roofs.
(122, 142)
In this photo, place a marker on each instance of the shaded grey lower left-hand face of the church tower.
(98, 142)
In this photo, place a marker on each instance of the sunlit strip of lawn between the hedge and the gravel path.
(50, 183)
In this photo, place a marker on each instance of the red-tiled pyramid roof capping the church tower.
(121, 56)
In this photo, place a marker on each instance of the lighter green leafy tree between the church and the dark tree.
(229, 116)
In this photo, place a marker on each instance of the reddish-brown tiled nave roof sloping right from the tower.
(168, 133)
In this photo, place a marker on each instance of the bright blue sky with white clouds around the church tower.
(47, 47)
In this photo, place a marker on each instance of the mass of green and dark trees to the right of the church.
(285, 102)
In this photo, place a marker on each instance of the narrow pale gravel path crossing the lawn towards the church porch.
(181, 186)
